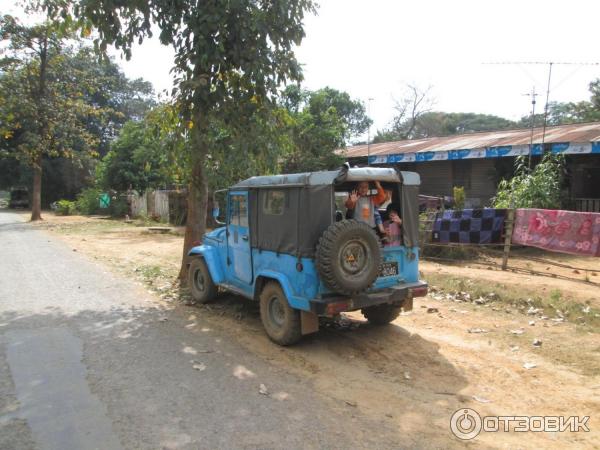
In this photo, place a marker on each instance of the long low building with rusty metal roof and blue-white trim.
(477, 161)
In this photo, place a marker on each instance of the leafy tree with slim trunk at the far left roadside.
(42, 109)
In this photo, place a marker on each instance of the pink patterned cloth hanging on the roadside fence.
(560, 231)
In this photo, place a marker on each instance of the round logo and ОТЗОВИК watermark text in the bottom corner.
(466, 424)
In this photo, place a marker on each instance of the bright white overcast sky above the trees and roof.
(373, 49)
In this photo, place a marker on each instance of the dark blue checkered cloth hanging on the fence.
(469, 226)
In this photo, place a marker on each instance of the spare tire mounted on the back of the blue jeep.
(348, 257)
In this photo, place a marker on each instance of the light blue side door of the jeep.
(238, 237)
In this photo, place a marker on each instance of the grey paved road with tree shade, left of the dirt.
(88, 361)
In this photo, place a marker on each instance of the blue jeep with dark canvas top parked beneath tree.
(286, 243)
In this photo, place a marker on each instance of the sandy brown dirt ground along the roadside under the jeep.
(445, 355)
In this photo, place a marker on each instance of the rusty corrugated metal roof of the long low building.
(576, 133)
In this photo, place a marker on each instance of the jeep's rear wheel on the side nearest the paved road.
(281, 322)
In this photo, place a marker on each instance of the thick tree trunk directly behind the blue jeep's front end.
(197, 198)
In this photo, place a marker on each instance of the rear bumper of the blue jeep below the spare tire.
(401, 295)
